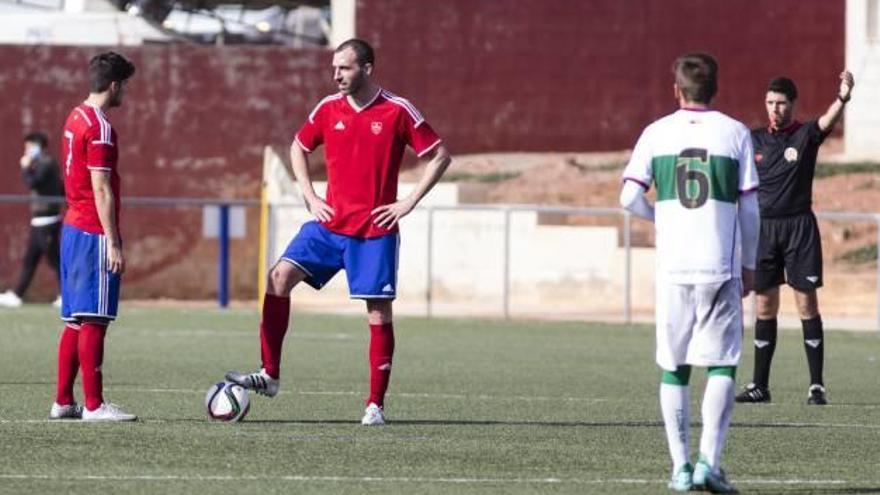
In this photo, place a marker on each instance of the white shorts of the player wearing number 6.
(699, 324)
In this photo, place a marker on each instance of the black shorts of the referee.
(789, 250)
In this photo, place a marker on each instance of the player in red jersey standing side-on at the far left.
(91, 248)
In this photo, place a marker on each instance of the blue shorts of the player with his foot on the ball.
(370, 264)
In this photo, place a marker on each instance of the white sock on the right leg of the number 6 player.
(717, 409)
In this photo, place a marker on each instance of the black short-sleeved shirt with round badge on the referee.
(786, 162)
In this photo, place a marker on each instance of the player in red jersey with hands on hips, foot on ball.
(365, 130)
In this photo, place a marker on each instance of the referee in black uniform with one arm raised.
(789, 248)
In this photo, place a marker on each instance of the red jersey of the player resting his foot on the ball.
(364, 149)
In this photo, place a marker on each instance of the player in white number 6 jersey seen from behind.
(706, 220)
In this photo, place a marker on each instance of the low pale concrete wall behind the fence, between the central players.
(568, 271)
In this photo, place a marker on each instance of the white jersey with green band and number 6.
(700, 162)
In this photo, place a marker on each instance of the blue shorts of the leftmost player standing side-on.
(88, 288)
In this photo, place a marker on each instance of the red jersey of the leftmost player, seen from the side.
(89, 143)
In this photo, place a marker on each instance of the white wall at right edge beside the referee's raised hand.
(863, 58)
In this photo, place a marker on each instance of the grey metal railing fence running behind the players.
(505, 211)
